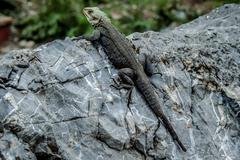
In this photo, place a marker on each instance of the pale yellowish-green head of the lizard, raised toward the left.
(94, 15)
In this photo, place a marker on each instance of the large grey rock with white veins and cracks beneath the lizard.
(57, 101)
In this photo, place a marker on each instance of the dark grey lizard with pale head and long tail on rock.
(122, 55)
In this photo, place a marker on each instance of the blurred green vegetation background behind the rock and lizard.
(45, 20)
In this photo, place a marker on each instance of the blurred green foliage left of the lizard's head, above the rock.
(55, 18)
